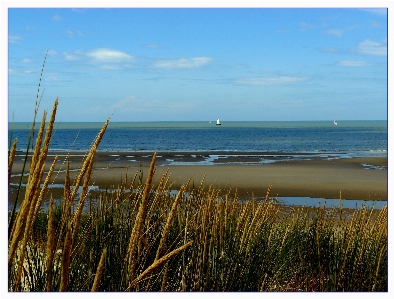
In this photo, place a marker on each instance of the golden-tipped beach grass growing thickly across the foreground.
(142, 236)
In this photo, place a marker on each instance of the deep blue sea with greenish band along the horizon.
(349, 138)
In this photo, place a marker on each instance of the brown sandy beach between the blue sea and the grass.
(354, 178)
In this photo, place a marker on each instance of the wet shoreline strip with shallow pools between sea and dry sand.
(213, 157)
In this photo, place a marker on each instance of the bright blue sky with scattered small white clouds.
(181, 64)
